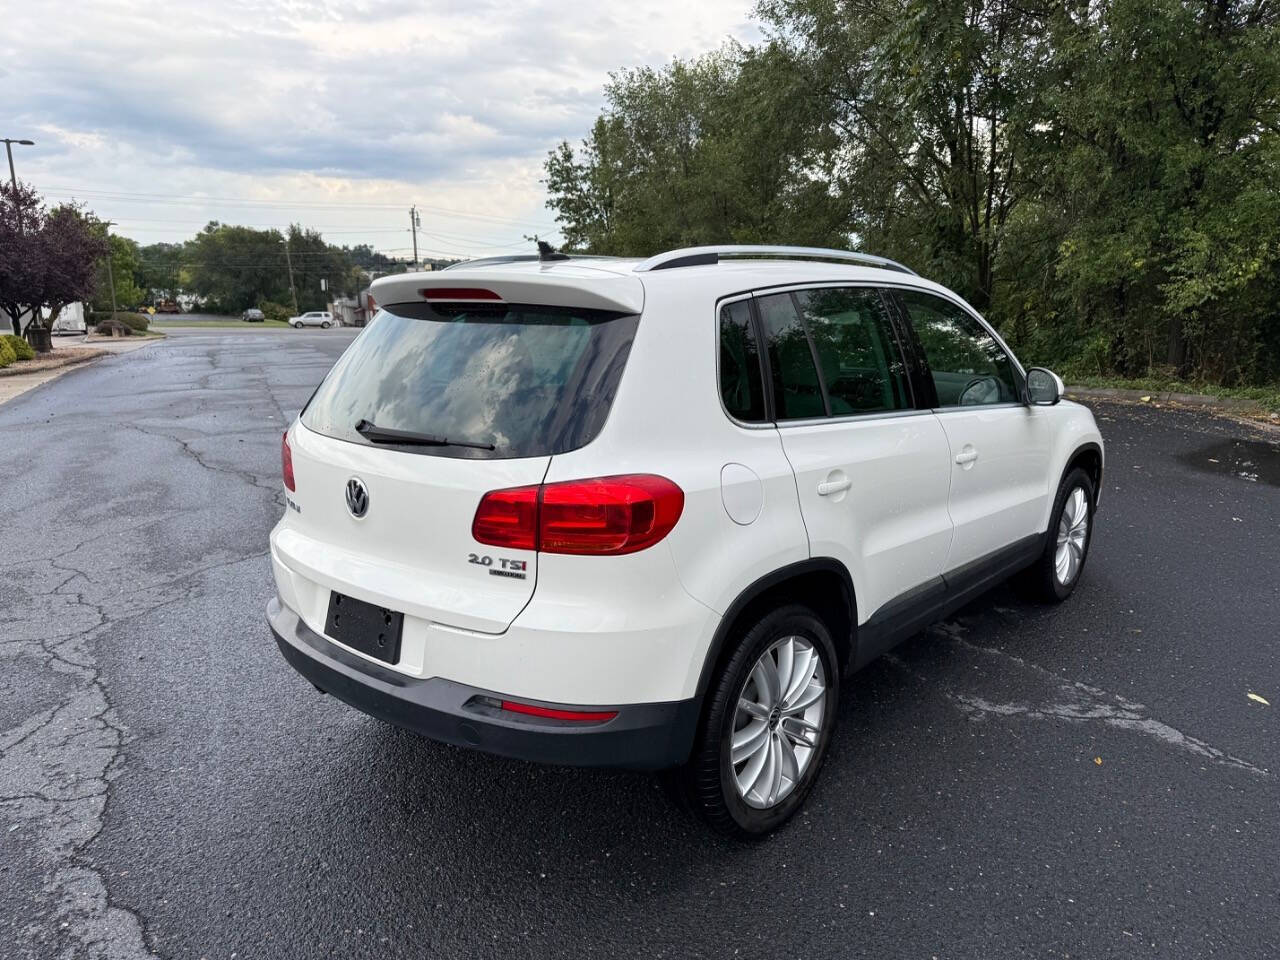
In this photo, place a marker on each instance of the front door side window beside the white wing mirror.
(970, 368)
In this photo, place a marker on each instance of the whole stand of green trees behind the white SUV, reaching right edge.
(1099, 177)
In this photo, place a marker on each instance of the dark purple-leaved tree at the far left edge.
(48, 257)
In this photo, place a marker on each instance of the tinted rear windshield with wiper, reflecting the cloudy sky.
(531, 381)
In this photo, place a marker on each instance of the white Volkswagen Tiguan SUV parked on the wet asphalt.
(648, 514)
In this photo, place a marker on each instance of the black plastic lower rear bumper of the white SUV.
(642, 737)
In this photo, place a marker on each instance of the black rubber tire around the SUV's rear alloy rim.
(707, 783)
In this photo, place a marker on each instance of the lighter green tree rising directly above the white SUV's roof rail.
(724, 149)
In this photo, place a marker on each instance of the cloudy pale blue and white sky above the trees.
(337, 116)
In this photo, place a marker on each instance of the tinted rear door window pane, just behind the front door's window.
(853, 337)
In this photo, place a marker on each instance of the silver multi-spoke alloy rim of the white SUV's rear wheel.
(779, 723)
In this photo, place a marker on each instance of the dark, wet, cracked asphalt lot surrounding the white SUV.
(1091, 780)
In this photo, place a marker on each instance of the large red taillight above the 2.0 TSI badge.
(602, 516)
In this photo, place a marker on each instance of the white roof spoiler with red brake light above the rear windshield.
(565, 286)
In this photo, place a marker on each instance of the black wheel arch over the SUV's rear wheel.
(821, 583)
